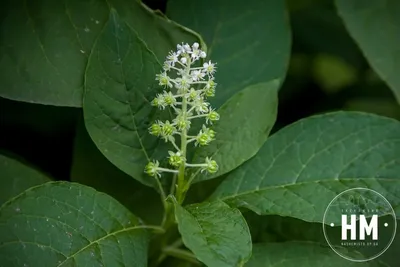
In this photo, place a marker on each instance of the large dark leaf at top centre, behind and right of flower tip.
(249, 40)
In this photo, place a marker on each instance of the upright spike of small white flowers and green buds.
(181, 79)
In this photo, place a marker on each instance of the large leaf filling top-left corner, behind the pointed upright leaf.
(45, 45)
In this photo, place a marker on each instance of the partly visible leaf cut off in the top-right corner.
(375, 25)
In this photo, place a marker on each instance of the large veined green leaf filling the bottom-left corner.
(67, 224)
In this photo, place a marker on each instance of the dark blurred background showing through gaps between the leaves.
(327, 72)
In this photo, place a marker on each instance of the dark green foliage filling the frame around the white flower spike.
(308, 96)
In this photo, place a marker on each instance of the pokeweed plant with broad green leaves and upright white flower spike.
(154, 130)
